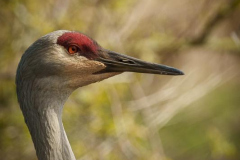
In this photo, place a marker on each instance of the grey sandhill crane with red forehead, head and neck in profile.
(51, 69)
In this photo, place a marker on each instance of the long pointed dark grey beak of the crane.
(116, 62)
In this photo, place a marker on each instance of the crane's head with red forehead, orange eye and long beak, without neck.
(78, 60)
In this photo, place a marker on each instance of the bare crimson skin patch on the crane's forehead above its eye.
(88, 47)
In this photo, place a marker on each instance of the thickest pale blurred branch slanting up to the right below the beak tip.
(187, 98)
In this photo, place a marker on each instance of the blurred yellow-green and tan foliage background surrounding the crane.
(135, 116)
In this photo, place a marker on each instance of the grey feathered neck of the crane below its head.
(42, 110)
